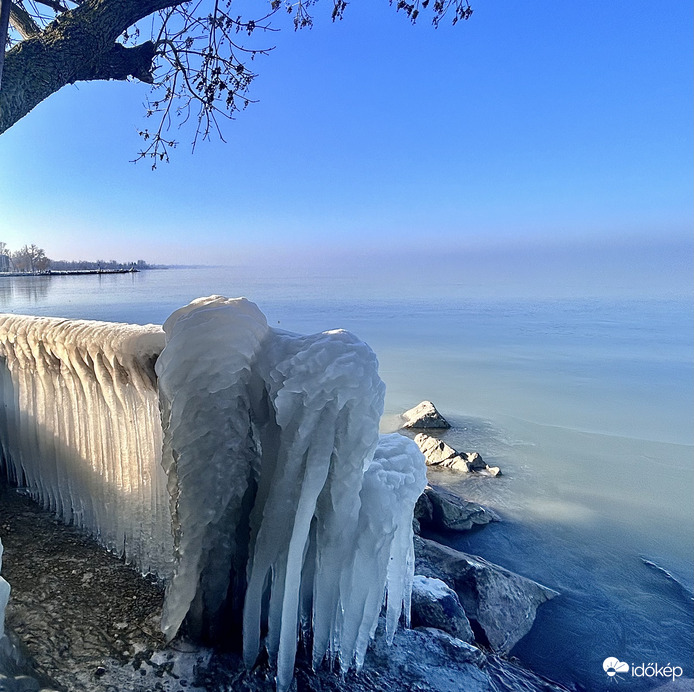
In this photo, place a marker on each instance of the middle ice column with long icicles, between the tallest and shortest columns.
(325, 400)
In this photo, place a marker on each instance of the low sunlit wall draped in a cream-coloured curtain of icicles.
(80, 428)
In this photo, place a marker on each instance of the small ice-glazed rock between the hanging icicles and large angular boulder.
(434, 604)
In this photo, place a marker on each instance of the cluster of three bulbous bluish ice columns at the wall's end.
(292, 429)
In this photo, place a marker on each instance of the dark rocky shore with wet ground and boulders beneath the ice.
(80, 620)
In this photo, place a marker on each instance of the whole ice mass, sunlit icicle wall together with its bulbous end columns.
(248, 472)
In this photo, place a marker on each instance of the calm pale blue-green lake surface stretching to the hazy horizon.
(585, 404)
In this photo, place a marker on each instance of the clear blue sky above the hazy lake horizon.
(532, 126)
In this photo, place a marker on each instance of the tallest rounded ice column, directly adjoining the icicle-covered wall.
(209, 451)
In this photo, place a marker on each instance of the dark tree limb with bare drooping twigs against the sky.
(197, 61)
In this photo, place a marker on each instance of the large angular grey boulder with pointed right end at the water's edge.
(500, 604)
